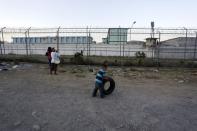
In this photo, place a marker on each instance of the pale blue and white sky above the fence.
(98, 13)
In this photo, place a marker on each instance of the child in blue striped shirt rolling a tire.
(99, 85)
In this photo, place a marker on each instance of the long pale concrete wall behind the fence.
(71, 49)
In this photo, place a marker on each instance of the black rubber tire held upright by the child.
(111, 87)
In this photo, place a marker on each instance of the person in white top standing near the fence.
(55, 60)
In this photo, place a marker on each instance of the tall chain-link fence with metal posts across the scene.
(157, 43)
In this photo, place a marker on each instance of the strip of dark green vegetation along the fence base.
(78, 59)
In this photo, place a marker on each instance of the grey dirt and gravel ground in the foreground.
(145, 99)
